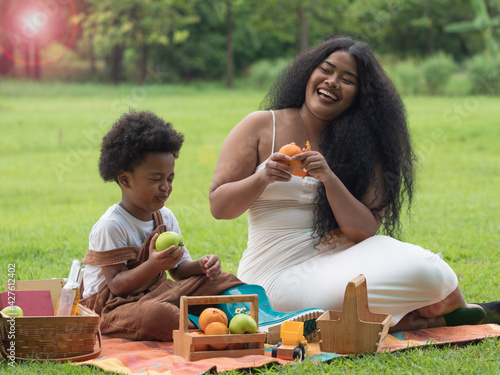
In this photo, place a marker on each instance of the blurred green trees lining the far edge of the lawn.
(188, 38)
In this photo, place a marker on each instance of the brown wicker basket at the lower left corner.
(51, 337)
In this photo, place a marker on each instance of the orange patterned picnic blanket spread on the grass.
(155, 357)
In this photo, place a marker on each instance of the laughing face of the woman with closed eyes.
(332, 86)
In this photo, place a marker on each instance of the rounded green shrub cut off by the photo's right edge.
(484, 74)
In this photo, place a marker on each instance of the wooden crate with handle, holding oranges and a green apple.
(187, 343)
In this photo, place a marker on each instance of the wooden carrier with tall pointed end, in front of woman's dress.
(355, 329)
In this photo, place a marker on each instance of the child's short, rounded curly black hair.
(131, 138)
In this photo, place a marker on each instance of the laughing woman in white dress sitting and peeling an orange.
(309, 237)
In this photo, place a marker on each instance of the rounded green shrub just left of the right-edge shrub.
(437, 71)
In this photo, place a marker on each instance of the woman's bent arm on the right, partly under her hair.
(357, 219)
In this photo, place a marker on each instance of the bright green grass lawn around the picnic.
(51, 193)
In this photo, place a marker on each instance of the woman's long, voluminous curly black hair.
(373, 130)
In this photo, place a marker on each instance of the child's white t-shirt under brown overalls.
(117, 228)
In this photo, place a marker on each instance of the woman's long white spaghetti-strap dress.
(281, 257)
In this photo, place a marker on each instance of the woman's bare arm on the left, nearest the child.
(235, 186)
